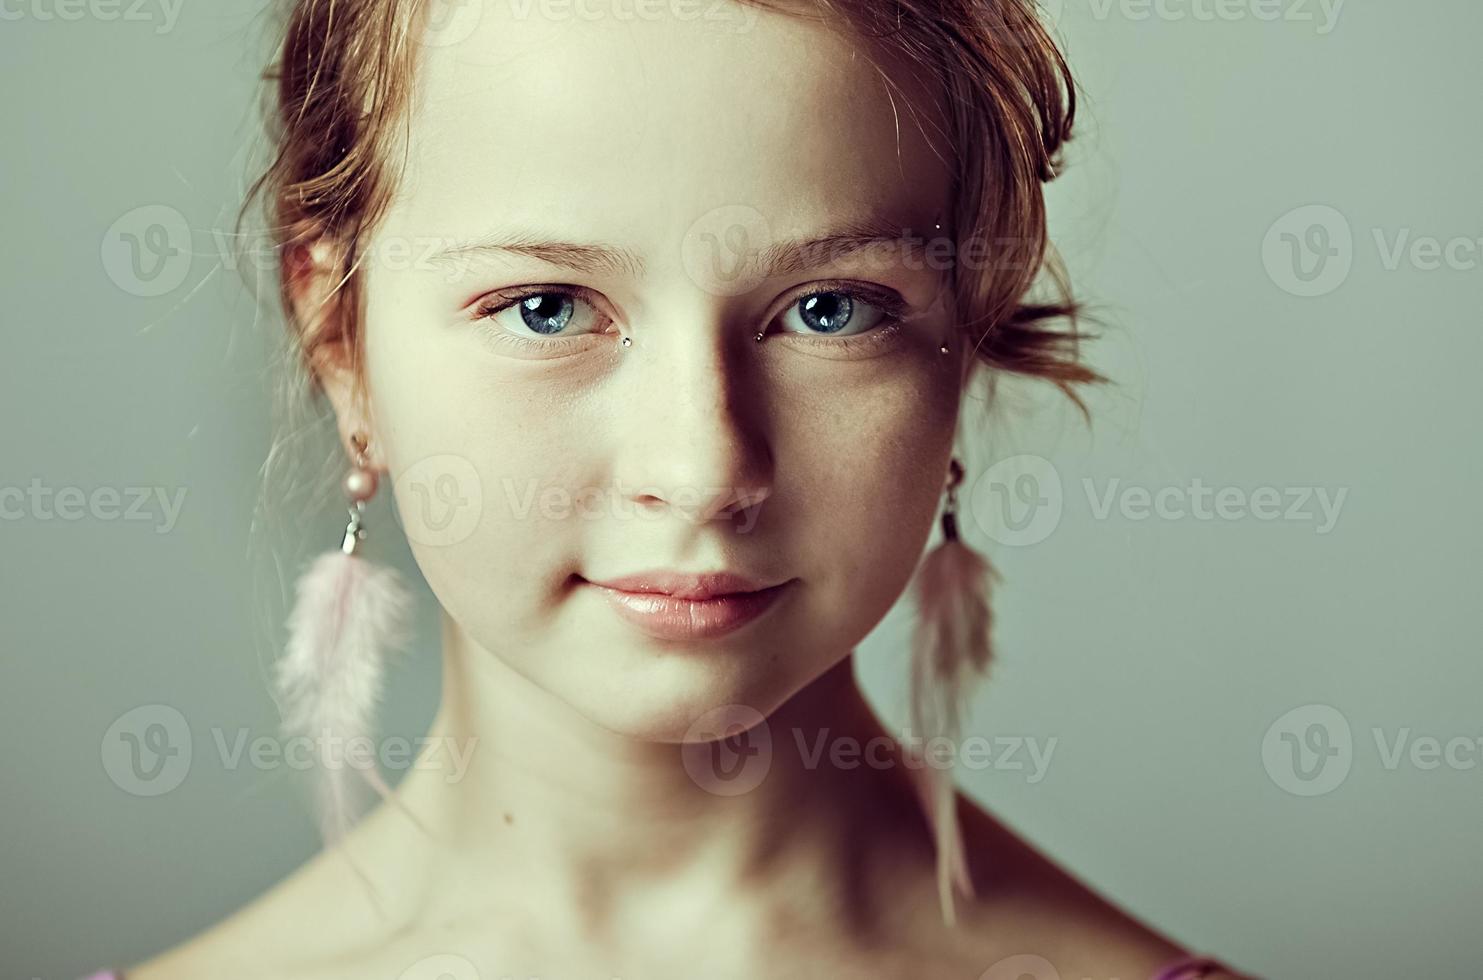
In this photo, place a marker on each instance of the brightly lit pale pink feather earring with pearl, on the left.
(346, 616)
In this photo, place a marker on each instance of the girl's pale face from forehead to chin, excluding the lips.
(581, 174)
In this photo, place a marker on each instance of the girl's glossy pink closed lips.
(689, 607)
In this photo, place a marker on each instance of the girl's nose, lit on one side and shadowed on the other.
(696, 426)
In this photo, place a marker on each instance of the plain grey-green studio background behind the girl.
(1160, 653)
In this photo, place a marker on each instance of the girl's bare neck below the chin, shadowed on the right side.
(530, 804)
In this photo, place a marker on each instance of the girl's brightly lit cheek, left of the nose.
(486, 472)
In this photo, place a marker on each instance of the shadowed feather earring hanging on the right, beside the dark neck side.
(951, 650)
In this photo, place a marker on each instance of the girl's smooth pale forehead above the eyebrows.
(573, 119)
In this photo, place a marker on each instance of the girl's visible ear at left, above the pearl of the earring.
(328, 336)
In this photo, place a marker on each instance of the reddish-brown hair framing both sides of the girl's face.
(343, 79)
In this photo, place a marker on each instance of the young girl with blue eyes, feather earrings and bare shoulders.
(661, 317)
